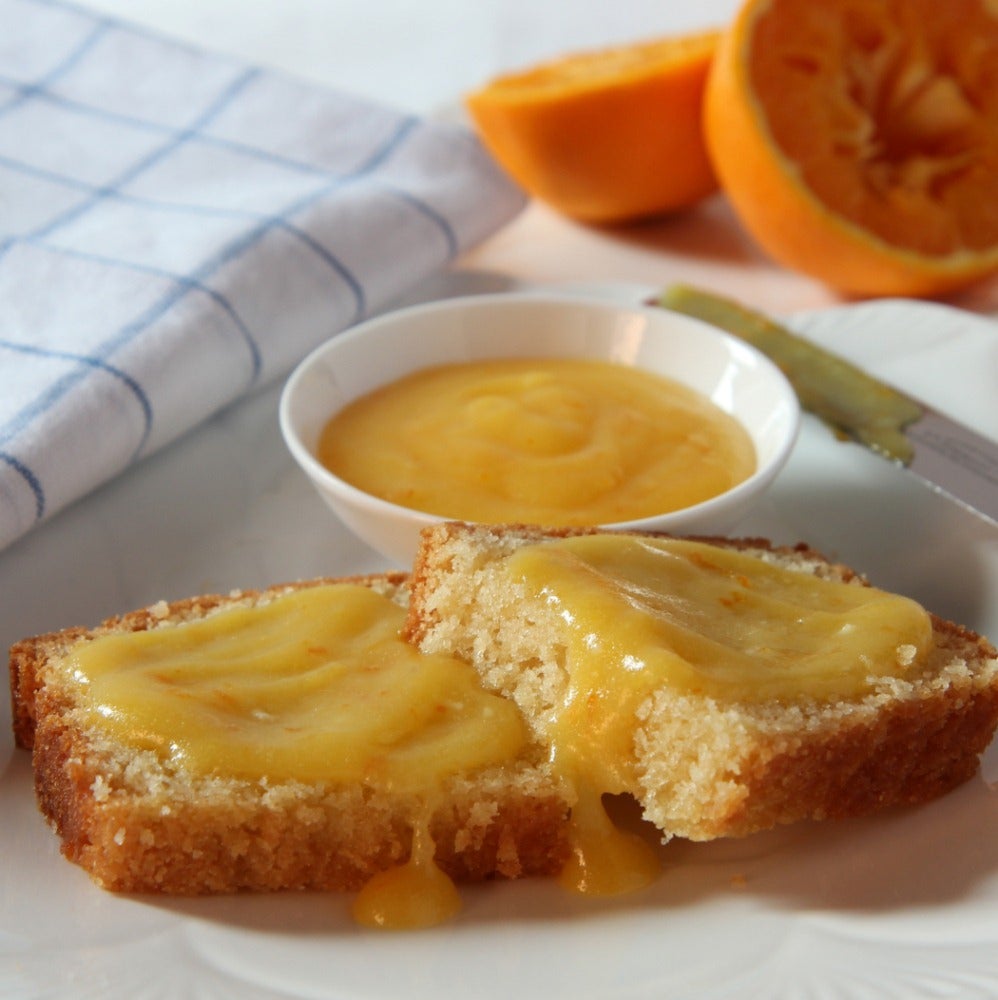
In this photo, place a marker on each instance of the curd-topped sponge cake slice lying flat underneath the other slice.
(187, 748)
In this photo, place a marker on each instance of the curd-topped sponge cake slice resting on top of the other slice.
(729, 686)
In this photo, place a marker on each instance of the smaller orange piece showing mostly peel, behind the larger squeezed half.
(605, 136)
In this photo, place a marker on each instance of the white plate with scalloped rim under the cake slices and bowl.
(902, 905)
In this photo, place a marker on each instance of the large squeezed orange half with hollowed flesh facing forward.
(858, 139)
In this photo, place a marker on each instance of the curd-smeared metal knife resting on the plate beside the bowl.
(948, 456)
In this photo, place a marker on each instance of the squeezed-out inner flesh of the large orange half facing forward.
(890, 112)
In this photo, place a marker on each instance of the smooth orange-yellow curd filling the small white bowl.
(555, 441)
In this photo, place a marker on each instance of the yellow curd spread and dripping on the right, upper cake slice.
(644, 614)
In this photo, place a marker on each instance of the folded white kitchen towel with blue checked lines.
(177, 228)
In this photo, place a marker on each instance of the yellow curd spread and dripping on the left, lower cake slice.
(314, 686)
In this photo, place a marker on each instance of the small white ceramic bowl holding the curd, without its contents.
(734, 375)
